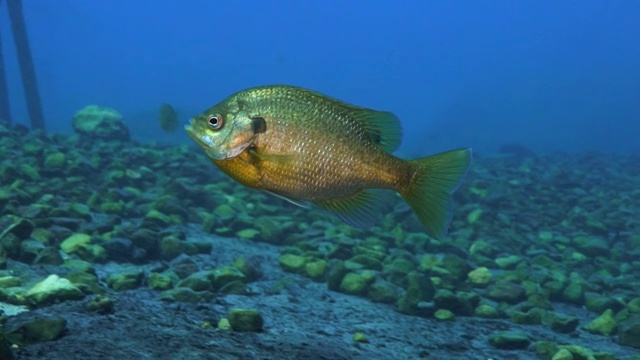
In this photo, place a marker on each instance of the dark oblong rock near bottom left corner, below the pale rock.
(37, 330)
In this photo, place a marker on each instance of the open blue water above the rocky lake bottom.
(549, 75)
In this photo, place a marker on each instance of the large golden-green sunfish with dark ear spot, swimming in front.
(315, 150)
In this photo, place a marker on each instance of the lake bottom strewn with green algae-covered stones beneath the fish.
(115, 249)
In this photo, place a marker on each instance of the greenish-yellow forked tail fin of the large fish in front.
(435, 179)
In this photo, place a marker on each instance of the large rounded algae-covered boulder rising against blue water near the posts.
(96, 122)
